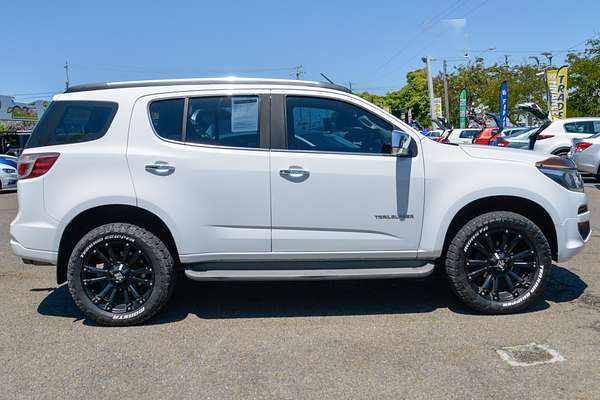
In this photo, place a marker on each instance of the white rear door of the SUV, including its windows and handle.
(200, 161)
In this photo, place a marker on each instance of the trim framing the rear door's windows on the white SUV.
(263, 121)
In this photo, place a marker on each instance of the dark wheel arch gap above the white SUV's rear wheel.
(100, 215)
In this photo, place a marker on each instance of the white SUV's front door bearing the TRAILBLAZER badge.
(335, 187)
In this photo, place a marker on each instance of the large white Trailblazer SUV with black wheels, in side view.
(124, 184)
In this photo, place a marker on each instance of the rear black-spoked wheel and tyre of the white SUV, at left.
(120, 274)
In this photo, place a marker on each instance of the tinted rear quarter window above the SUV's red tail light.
(67, 122)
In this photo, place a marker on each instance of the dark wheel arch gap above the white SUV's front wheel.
(520, 205)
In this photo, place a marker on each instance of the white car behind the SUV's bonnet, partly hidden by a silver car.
(557, 137)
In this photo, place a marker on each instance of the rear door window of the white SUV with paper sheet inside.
(223, 121)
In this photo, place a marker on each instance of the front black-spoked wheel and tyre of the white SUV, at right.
(519, 250)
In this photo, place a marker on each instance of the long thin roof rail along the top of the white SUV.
(204, 81)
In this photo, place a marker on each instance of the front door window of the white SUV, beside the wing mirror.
(330, 125)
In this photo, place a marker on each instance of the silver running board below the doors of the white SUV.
(316, 274)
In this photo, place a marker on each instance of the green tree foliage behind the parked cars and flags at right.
(483, 84)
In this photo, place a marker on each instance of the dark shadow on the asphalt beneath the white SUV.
(226, 300)
